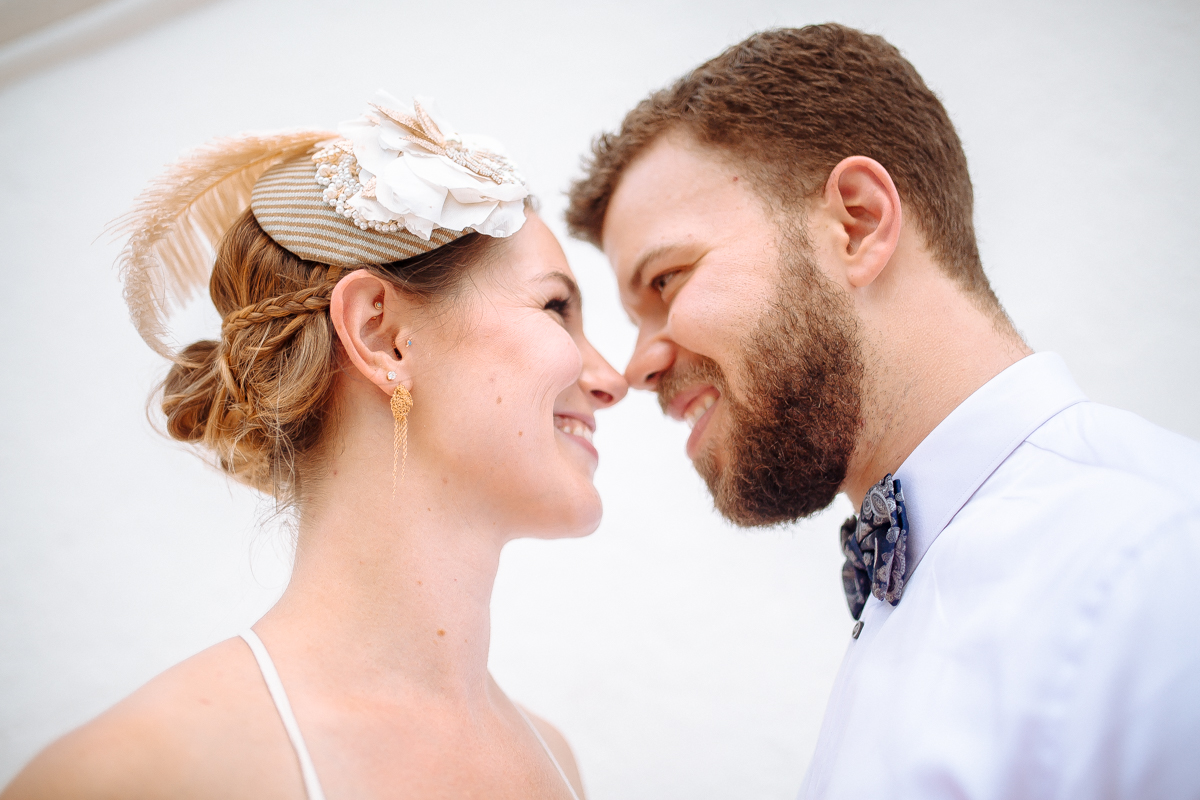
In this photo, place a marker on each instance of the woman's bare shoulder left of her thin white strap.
(205, 729)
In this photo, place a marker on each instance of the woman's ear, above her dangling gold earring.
(371, 320)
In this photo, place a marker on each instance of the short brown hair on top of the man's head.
(789, 105)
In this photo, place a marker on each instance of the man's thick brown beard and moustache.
(791, 438)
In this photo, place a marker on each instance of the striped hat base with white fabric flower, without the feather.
(400, 184)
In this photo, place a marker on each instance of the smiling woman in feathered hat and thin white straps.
(403, 363)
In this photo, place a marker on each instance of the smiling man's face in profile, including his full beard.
(740, 333)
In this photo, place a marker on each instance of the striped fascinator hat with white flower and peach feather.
(393, 184)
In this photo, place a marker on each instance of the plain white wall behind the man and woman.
(682, 658)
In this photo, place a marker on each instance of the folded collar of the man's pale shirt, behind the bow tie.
(946, 470)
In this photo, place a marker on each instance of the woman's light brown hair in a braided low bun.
(263, 398)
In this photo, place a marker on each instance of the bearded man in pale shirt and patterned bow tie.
(791, 230)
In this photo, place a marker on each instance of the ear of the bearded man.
(866, 209)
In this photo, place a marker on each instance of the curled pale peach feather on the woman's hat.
(177, 222)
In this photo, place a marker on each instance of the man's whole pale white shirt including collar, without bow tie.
(1048, 641)
